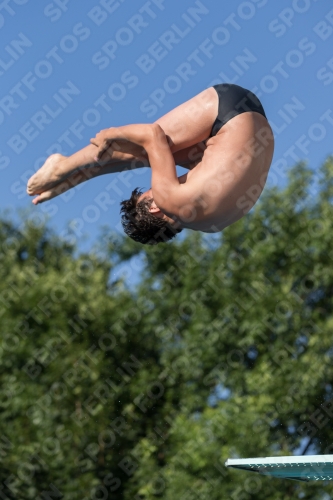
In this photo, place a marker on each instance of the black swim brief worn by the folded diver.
(233, 101)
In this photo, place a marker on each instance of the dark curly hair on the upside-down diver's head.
(142, 226)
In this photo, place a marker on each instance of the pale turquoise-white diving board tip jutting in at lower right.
(303, 468)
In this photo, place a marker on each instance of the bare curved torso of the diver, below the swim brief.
(231, 173)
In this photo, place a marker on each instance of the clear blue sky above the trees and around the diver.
(129, 62)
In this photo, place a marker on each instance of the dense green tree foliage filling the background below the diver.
(223, 350)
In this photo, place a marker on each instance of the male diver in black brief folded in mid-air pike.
(221, 135)
